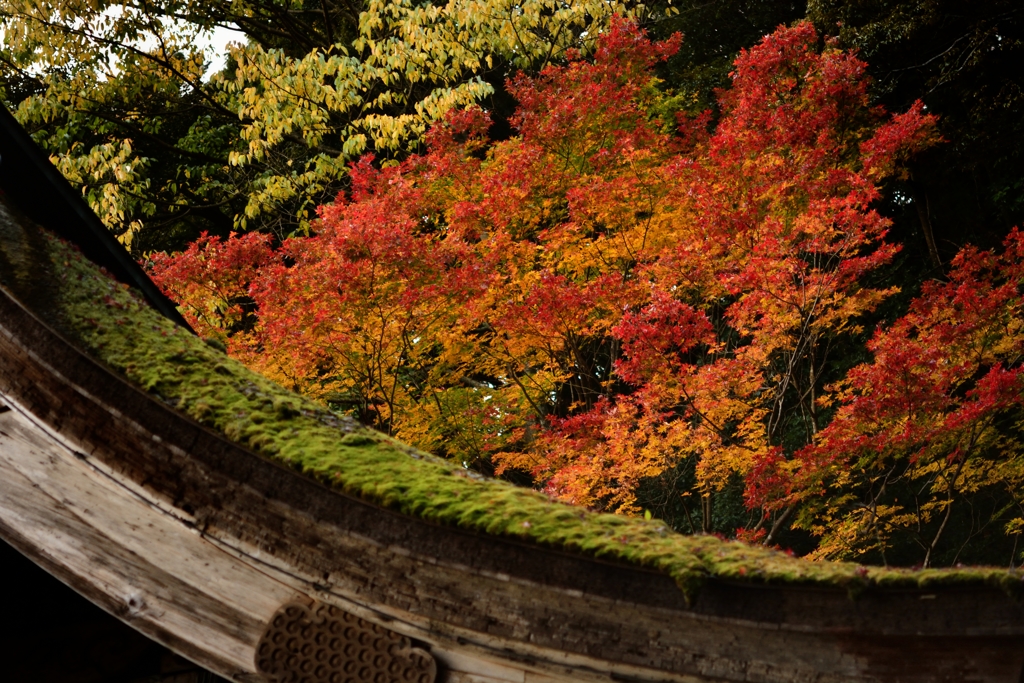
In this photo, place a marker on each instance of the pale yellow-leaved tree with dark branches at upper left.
(118, 93)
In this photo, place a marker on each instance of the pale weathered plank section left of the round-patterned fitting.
(135, 561)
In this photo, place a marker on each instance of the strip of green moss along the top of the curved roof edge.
(116, 327)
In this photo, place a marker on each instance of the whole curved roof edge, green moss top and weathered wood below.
(262, 536)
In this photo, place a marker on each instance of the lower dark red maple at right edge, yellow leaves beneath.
(922, 463)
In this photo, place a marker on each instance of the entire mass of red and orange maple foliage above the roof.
(600, 301)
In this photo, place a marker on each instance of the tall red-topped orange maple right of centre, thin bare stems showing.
(755, 266)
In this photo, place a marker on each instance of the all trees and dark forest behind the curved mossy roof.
(750, 268)
